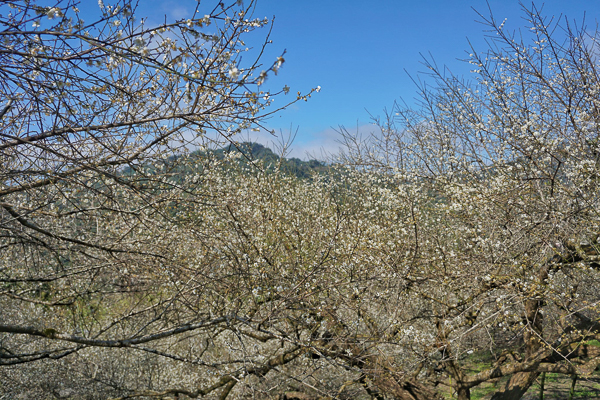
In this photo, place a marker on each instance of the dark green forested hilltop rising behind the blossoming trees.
(255, 151)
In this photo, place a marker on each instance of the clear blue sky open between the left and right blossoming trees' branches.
(361, 51)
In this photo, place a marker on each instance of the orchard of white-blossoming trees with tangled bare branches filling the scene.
(461, 233)
